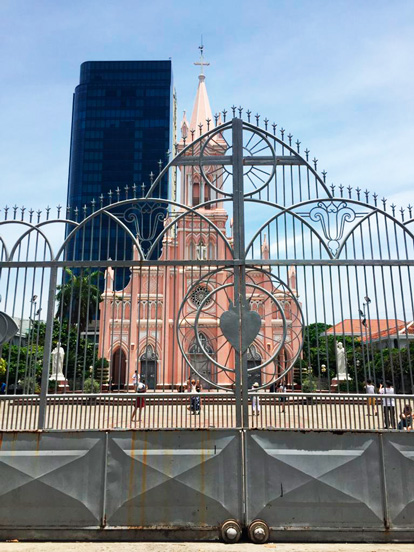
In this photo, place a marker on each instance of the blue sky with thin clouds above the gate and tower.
(338, 75)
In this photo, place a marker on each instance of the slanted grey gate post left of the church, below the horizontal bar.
(47, 347)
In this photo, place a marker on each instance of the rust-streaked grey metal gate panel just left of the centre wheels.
(173, 478)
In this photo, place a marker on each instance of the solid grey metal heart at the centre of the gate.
(250, 325)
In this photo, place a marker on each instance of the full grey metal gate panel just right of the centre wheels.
(314, 480)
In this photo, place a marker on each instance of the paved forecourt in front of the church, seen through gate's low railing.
(174, 413)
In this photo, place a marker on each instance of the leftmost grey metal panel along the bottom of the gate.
(51, 479)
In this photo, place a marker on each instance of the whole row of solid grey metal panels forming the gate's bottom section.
(303, 485)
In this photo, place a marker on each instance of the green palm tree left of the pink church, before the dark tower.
(78, 297)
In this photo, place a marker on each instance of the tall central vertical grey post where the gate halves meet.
(239, 270)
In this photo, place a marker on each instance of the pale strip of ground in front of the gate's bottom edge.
(199, 547)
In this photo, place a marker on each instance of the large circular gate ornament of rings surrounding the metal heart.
(271, 318)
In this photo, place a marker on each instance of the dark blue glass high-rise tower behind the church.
(121, 130)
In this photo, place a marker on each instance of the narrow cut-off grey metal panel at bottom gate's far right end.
(399, 476)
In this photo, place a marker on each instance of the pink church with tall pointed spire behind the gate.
(165, 324)
